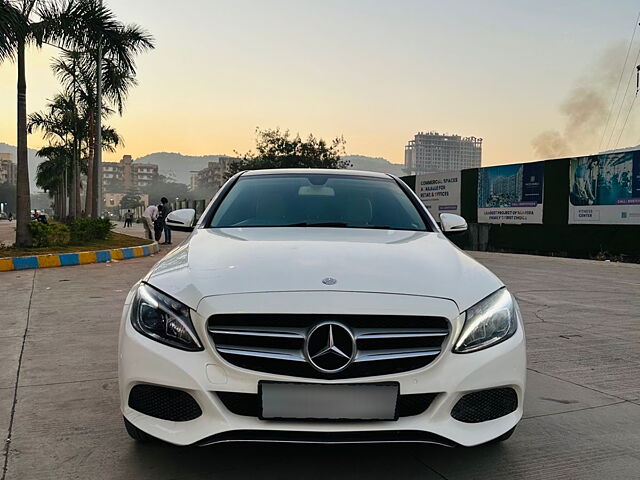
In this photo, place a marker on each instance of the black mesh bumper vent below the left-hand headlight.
(164, 403)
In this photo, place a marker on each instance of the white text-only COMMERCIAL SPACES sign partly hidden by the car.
(440, 192)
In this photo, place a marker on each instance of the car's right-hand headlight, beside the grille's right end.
(488, 322)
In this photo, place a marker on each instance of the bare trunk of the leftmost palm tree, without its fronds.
(23, 193)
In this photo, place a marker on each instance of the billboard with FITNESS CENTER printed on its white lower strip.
(605, 189)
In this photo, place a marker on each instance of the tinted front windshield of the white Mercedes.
(317, 200)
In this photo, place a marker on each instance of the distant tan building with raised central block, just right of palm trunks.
(127, 175)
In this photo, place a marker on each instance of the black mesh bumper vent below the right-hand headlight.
(485, 405)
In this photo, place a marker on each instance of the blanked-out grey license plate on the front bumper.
(369, 401)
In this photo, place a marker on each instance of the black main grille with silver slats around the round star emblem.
(273, 343)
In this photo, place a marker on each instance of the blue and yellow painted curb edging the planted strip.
(79, 258)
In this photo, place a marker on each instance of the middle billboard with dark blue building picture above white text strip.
(511, 193)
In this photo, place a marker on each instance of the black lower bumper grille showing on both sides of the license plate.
(248, 404)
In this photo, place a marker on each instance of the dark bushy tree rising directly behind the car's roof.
(279, 149)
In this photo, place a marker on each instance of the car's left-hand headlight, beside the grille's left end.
(163, 319)
